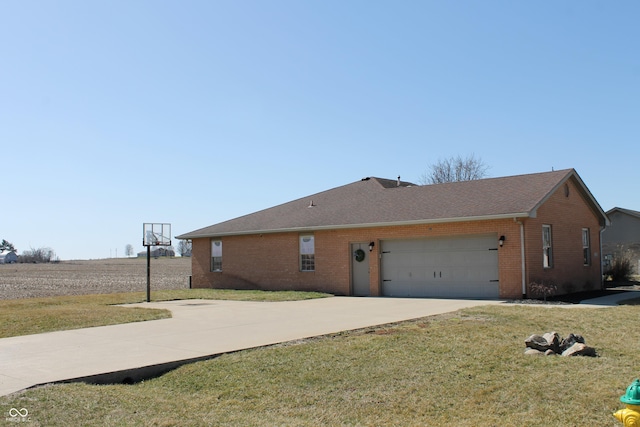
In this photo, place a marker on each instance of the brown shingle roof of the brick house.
(378, 202)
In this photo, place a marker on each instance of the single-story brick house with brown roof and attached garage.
(490, 238)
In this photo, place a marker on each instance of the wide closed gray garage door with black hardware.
(451, 267)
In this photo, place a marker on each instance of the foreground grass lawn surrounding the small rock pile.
(462, 369)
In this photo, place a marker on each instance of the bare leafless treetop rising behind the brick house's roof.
(455, 169)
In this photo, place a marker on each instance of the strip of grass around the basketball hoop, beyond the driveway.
(38, 315)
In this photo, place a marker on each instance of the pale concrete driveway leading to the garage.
(198, 330)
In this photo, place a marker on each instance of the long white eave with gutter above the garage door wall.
(365, 225)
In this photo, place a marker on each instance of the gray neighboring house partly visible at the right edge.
(622, 235)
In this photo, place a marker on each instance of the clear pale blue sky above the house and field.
(115, 113)
